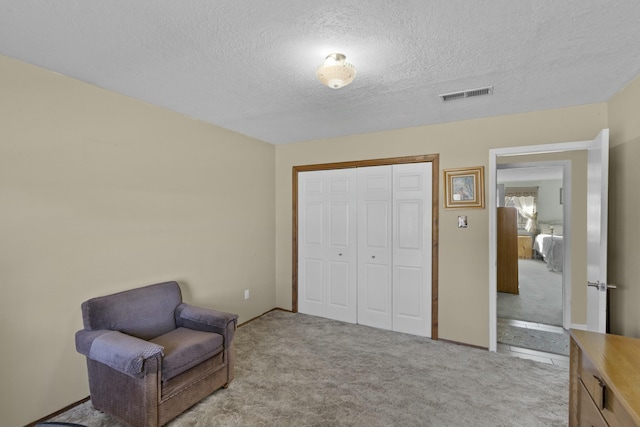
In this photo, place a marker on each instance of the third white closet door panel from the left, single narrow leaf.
(374, 246)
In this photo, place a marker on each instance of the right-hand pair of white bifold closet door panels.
(394, 247)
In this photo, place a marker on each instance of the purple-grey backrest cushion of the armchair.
(145, 312)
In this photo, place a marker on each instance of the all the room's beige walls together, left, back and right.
(100, 193)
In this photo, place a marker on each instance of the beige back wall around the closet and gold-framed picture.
(463, 292)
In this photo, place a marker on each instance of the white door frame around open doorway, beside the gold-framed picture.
(492, 203)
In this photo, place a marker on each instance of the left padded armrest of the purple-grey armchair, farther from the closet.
(119, 351)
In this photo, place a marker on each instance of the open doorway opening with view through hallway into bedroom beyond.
(531, 317)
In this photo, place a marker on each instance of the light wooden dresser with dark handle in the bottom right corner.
(604, 380)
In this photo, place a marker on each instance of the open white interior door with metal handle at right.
(597, 207)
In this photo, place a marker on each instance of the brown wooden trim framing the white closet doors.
(434, 159)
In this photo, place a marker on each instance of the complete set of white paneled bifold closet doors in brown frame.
(364, 246)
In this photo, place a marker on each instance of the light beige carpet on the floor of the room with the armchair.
(300, 370)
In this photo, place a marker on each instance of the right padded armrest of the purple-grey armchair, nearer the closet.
(208, 320)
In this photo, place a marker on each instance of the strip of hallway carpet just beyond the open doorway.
(549, 342)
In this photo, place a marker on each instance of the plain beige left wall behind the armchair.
(100, 193)
